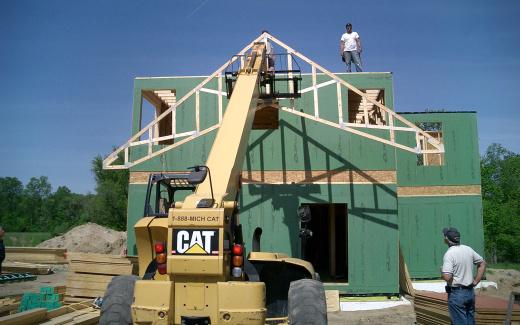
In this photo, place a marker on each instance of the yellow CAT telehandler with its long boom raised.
(191, 252)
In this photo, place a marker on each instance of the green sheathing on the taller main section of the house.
(299, 144)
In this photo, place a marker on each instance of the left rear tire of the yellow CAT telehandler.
(117, 302)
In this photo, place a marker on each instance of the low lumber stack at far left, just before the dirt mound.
(36, 255)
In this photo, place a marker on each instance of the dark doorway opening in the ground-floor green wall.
(327, 248)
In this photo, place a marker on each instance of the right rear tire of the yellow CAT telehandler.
(306, 303)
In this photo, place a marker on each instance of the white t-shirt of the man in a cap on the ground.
(459, 261)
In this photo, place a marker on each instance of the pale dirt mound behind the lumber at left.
(89, 238)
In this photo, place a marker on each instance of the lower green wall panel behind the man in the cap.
(421, 220)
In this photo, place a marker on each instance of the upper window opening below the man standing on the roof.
(356, 105)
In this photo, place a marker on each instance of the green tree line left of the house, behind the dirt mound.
(35, 207)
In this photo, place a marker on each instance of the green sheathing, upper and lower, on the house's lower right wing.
(421, 219)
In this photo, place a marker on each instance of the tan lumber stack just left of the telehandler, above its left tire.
(89, 274)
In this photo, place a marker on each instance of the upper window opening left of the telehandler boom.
(161, 100)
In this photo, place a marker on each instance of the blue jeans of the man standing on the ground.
(461, 304)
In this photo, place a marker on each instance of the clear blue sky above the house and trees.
(67, 67)
